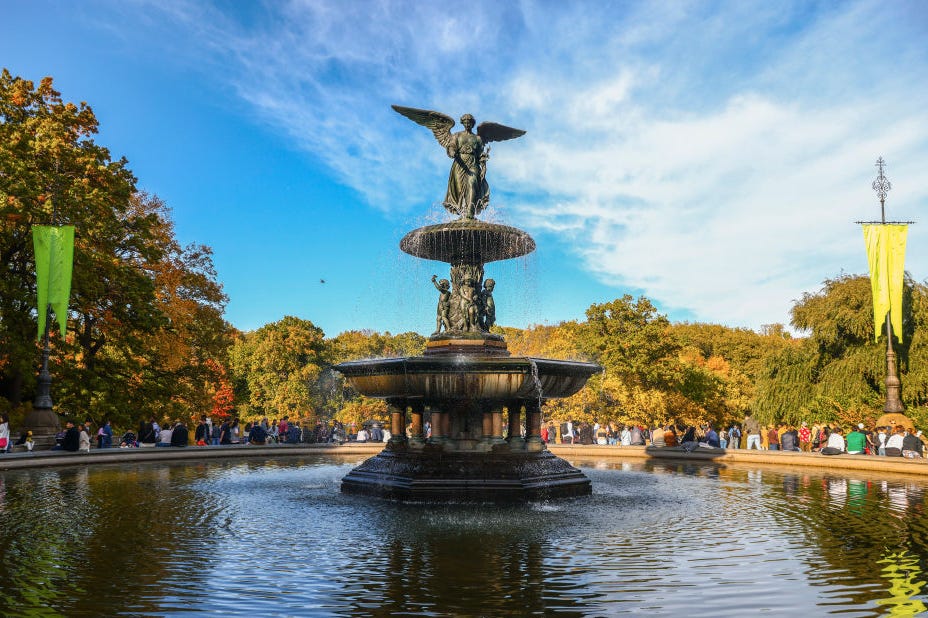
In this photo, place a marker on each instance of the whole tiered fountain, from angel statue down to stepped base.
(466, 377)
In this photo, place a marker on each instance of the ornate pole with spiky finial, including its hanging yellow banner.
(886, 254)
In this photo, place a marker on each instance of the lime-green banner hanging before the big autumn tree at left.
(54, 260)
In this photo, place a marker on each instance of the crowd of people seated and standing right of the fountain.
(827, 439)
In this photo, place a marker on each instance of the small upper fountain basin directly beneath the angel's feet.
(467, 241)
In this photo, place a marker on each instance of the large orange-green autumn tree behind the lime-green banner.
(144, 313)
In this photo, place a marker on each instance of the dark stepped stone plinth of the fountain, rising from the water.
(431, 475)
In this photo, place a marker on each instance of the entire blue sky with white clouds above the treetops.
(712, 156)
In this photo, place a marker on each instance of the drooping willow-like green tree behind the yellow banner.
(837, 373)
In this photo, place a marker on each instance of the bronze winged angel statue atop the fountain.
(468, 192)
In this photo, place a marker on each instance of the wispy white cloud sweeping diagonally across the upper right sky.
(714, 158)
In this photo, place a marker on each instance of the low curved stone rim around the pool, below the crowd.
(41, 459)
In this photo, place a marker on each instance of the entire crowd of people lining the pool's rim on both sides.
(827, 439)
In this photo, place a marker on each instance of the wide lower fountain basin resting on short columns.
(467, 377)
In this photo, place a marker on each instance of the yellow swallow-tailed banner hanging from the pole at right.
(886, 256)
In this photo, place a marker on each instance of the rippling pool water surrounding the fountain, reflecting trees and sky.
(276, 538)
